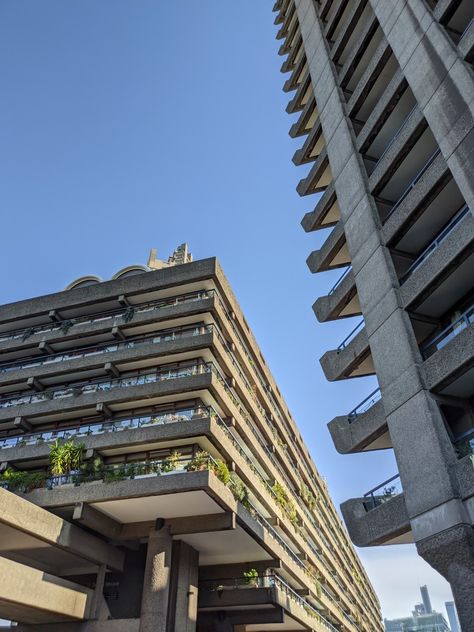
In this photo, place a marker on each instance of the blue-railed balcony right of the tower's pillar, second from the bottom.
(449, 358)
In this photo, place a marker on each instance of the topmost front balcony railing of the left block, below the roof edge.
(126, 313)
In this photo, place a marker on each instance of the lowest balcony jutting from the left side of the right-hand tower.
(380, 517)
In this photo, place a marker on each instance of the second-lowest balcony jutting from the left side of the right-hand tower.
(363, 433)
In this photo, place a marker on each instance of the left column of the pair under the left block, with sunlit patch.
(156, 582)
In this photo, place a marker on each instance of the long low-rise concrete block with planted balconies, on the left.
(153, 478)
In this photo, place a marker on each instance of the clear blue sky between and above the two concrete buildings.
(131, 124)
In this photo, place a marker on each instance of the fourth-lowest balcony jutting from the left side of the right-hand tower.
(341, 302)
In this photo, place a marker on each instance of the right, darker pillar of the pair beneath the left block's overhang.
(183, 588)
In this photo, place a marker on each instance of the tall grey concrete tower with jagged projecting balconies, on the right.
(383, 94)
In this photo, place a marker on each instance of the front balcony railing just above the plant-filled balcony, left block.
(97, 428)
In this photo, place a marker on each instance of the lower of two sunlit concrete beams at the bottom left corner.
(31, 596)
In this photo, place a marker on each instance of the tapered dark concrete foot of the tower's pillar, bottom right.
(451, 553)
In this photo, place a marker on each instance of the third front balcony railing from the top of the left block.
(100, 385)
